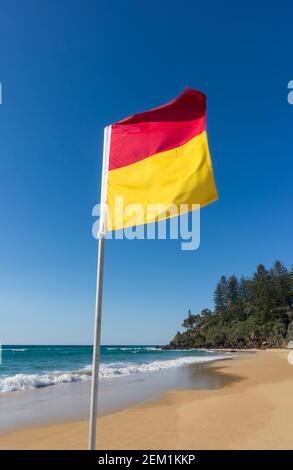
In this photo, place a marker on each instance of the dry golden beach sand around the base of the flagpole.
(253, 411)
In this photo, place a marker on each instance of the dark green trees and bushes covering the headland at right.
(255, 312)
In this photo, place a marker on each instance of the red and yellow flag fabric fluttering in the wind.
(159, 157)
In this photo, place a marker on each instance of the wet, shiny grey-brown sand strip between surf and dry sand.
(70, 402)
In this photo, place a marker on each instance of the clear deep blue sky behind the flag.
(68, 68)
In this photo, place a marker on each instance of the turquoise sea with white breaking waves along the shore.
(28, 367)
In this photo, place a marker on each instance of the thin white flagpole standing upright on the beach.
(99, 293)
